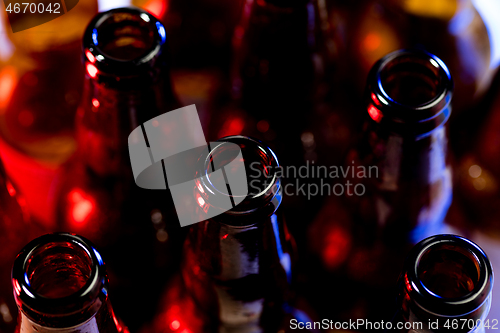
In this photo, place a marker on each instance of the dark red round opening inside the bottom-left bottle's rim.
(58, 270)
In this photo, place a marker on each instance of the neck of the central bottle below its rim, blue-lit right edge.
(239, 275)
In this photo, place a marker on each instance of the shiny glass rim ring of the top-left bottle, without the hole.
(98, 63)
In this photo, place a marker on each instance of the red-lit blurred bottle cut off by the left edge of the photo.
(16, 230)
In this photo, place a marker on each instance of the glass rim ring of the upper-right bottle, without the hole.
(418, 119)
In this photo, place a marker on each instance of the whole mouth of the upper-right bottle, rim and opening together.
(410, 90)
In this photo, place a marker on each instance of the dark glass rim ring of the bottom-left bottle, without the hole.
(36, 306)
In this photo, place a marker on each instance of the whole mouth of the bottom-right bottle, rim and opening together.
(448, 275)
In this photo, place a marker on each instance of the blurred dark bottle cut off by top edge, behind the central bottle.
(280, 54)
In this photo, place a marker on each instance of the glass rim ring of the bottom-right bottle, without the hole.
(443, 306)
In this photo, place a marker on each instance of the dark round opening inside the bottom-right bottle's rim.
(449, 271)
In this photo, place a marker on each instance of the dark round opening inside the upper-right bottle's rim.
(412, 81)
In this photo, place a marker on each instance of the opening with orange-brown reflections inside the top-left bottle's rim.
(125, 36)
